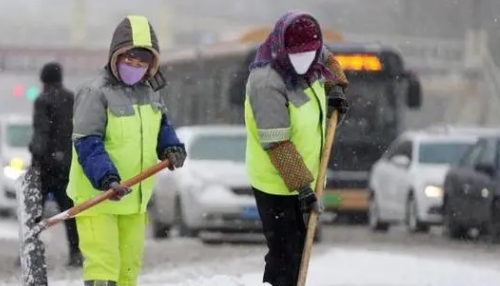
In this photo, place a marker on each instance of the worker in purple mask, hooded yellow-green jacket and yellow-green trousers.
(120, 129)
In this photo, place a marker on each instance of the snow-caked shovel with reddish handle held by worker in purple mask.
(33, 266)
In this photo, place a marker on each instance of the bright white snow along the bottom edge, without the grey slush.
(341, 267)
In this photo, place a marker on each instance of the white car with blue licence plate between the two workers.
(211, 192)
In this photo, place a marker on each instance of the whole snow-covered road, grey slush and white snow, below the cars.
(349, 256)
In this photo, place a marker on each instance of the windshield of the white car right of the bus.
(441, 152)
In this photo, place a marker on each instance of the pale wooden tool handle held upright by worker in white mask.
(320, 185)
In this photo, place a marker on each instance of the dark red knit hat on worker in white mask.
(303, 35)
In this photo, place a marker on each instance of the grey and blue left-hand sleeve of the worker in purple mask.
(88, 132)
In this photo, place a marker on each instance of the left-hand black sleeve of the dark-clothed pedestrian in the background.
(39, 144)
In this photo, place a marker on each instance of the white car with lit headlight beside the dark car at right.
(405, 184)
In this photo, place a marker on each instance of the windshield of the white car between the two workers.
(219, 148)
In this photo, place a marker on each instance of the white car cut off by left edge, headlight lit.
(15, 135)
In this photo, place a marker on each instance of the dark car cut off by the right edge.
(472, 191)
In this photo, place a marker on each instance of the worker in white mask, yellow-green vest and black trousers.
(294, 85)
